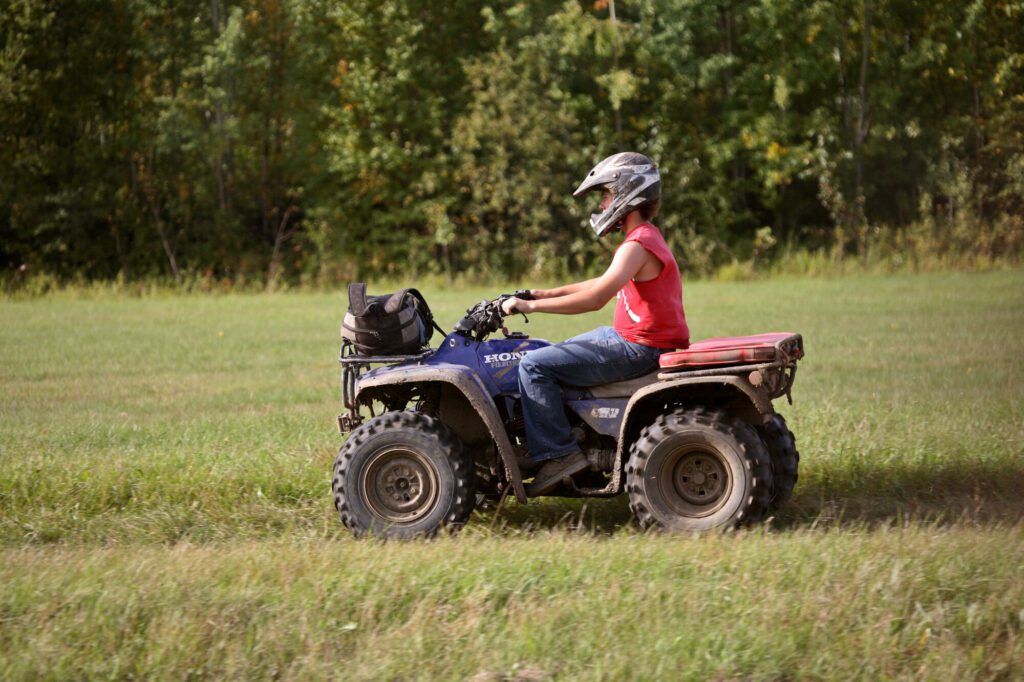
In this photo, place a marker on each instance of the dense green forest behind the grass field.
(316, 142)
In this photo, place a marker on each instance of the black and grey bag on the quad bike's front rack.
(398, 324)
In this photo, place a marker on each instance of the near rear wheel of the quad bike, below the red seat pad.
(696, 471)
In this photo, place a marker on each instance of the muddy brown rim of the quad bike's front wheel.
(400, 485)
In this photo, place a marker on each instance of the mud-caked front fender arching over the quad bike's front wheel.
(468, 385)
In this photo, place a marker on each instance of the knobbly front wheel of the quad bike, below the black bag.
(404, 476)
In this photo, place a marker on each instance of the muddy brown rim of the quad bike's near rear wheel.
(695, 482)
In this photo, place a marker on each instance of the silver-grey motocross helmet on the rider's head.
(633, 181)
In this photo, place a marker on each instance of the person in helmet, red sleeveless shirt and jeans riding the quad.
(649, 321)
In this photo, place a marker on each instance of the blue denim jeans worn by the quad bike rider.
(601, 357)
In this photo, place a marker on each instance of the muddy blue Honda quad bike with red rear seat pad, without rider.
(696, 444)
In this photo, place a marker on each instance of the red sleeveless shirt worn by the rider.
(652, 313)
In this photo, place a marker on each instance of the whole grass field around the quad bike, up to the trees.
(165, 508)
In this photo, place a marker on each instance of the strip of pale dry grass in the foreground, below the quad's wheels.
(918, 603)
